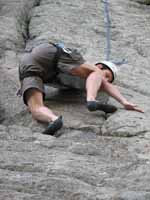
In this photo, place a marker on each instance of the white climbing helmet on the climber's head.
(110, 66)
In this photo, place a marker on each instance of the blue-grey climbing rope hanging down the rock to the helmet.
(107, 22)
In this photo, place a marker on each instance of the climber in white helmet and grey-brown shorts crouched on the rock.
(45, 64)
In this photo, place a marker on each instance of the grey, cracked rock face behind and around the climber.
(97, 157)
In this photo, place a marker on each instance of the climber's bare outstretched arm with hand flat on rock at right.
(114, 92)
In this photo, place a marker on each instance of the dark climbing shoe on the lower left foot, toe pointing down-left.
(54, 126)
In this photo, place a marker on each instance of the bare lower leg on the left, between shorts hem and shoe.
(39, 111)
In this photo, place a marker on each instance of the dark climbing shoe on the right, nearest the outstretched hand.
(94, 105)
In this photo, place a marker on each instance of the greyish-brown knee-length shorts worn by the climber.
(37, 67)
